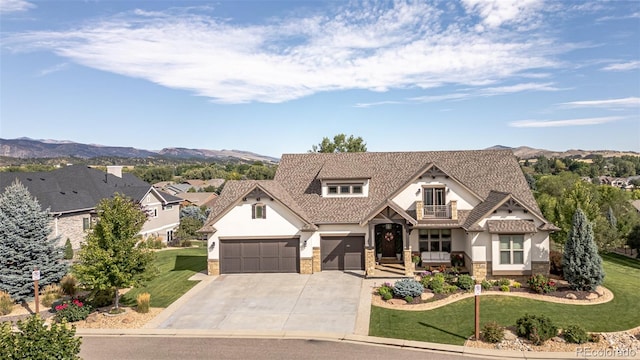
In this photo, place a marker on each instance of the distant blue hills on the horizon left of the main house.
(25, 148)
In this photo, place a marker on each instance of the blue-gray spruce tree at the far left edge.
(25, 244)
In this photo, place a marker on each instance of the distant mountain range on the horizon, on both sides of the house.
(26, 148)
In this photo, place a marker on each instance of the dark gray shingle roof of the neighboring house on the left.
(77, 187)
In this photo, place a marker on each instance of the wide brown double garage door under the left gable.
(259, 256)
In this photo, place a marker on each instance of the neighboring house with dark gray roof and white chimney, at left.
(72, 193)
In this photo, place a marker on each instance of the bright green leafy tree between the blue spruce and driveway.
(110, 259)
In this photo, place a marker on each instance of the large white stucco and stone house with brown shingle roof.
(340, 211)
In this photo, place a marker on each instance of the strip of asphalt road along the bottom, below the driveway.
(183, 348)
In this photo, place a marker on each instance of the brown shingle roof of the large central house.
(487, 173)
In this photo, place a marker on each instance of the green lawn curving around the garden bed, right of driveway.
(454, 323)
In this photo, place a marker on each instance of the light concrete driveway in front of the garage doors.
(323, 302)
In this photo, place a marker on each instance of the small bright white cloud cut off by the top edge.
(495, 13)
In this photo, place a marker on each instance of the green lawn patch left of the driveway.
(175, 267)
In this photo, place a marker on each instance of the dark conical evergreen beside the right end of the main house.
(581, 263)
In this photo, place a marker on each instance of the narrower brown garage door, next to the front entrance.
(342, 253)
